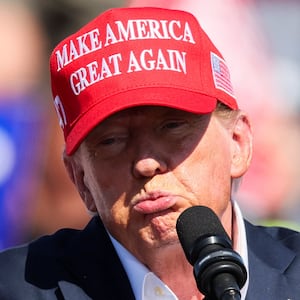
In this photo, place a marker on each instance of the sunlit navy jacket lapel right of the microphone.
(269, 261)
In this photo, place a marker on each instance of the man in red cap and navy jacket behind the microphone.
(152, 128)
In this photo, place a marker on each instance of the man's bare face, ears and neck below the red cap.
(141, 167)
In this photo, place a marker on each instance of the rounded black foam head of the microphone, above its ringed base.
(195, 223)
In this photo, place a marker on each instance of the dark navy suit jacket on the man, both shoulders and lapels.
(82, 265)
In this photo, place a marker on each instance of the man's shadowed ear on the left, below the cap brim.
(76, 174)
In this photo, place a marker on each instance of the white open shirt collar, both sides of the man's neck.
(144, 282)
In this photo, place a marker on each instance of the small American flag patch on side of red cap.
(221, 74)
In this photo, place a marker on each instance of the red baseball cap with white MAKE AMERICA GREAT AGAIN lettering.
(138, 56)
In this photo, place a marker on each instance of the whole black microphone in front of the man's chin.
(218, 270)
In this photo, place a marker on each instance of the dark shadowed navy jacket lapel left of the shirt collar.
(95, 267)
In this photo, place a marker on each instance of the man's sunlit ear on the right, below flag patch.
(241, 146)
